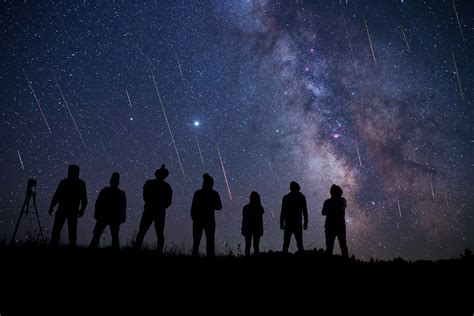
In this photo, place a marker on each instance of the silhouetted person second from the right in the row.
(293, 213)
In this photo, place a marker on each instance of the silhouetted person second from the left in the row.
(110, 210)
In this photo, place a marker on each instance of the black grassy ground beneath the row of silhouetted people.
(40, 280)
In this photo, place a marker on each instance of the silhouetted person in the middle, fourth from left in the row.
(205, 202)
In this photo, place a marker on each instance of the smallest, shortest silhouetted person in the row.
(252, 223)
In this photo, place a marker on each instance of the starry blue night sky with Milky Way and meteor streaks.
(375, 96)
